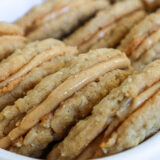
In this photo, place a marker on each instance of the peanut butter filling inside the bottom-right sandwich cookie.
(124, 112)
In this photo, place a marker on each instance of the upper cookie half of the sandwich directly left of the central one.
(9, 66)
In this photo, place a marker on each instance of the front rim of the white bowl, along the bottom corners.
(148, 150)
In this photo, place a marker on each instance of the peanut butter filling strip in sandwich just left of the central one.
(15, 79)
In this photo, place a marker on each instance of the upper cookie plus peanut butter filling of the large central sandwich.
(60, 86)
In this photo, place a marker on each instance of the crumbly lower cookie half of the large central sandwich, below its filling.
(56, 125)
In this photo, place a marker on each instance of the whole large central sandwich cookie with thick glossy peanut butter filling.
(78, 87)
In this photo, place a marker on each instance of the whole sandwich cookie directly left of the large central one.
(28, 75)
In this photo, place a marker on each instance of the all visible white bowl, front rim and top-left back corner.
(10, 10)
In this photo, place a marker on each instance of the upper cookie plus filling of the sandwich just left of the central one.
(34, 54)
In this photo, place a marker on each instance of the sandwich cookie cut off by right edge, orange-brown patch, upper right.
(142, 42)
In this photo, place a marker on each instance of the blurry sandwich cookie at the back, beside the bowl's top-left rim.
(51, 18)
